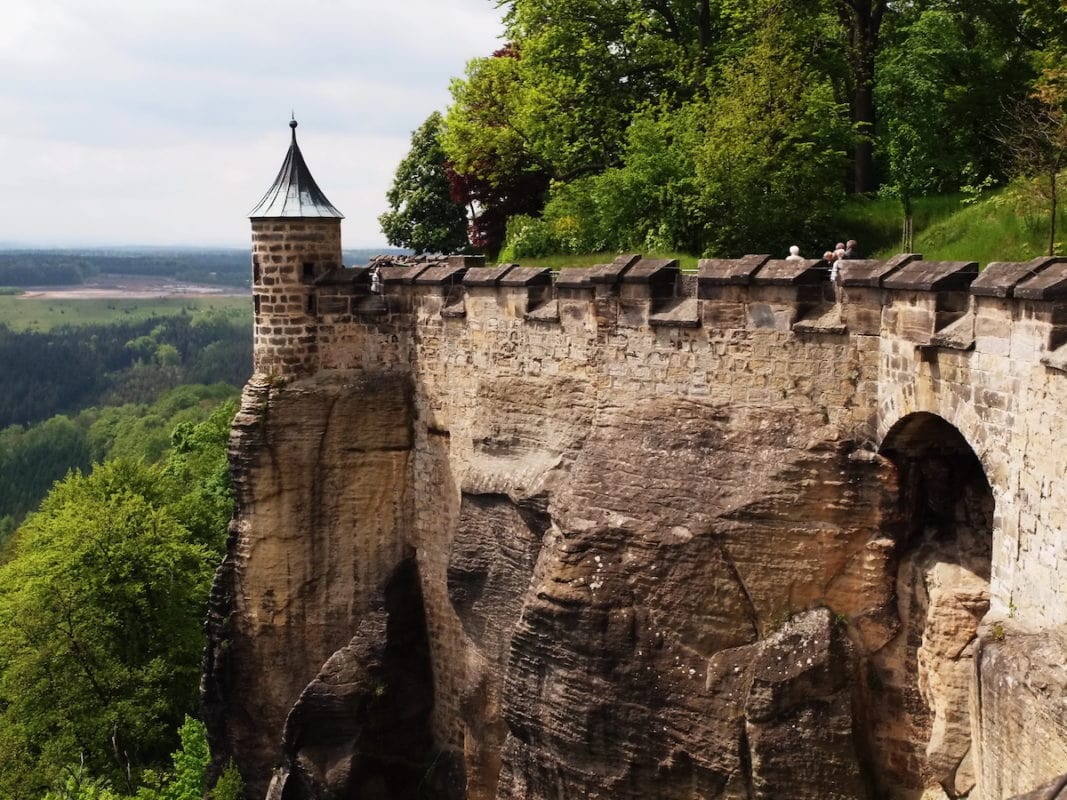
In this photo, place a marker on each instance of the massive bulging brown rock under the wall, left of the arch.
(622, 686)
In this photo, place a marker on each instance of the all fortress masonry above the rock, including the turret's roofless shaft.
(885, 341)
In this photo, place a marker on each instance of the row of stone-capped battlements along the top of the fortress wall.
(932, 305)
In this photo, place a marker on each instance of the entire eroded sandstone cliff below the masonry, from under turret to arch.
(671, 598)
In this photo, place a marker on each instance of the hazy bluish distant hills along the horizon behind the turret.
(230, 267)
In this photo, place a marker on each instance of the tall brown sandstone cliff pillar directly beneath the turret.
(320, 471)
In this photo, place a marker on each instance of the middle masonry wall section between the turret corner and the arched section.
(504, 403)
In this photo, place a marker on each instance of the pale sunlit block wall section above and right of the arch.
(1008, 404)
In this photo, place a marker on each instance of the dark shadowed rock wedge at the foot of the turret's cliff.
(362, 727)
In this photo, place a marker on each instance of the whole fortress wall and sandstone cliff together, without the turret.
(639, 535)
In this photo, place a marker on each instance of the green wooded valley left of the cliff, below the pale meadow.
(115, 502)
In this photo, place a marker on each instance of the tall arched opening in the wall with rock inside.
(919, 684)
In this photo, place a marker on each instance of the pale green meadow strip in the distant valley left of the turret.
(34, 314)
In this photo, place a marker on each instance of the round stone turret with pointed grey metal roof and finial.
(296, 238)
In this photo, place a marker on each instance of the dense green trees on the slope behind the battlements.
(716, 127)
